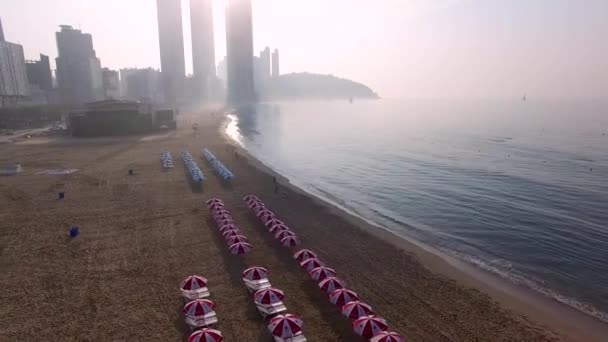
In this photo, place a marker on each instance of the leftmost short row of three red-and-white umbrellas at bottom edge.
(199, 310)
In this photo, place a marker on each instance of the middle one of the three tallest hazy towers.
(203, 46)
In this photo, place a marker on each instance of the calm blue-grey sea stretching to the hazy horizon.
(519, 189)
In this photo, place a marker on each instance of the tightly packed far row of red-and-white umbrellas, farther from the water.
(235, 239)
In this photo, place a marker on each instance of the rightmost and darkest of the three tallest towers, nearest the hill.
(239, 48)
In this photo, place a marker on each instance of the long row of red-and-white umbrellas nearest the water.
(365, 322)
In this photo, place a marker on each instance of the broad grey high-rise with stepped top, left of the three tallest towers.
(78, 68)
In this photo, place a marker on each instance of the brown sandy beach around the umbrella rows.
(142, 234)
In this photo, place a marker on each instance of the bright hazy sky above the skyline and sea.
(401, 48)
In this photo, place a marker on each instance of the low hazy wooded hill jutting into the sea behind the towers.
(314, 86)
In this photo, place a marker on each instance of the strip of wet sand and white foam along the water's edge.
(572, 324)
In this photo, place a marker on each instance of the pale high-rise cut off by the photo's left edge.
(13, 76)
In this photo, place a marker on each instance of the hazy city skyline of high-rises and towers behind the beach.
(79, 77)
